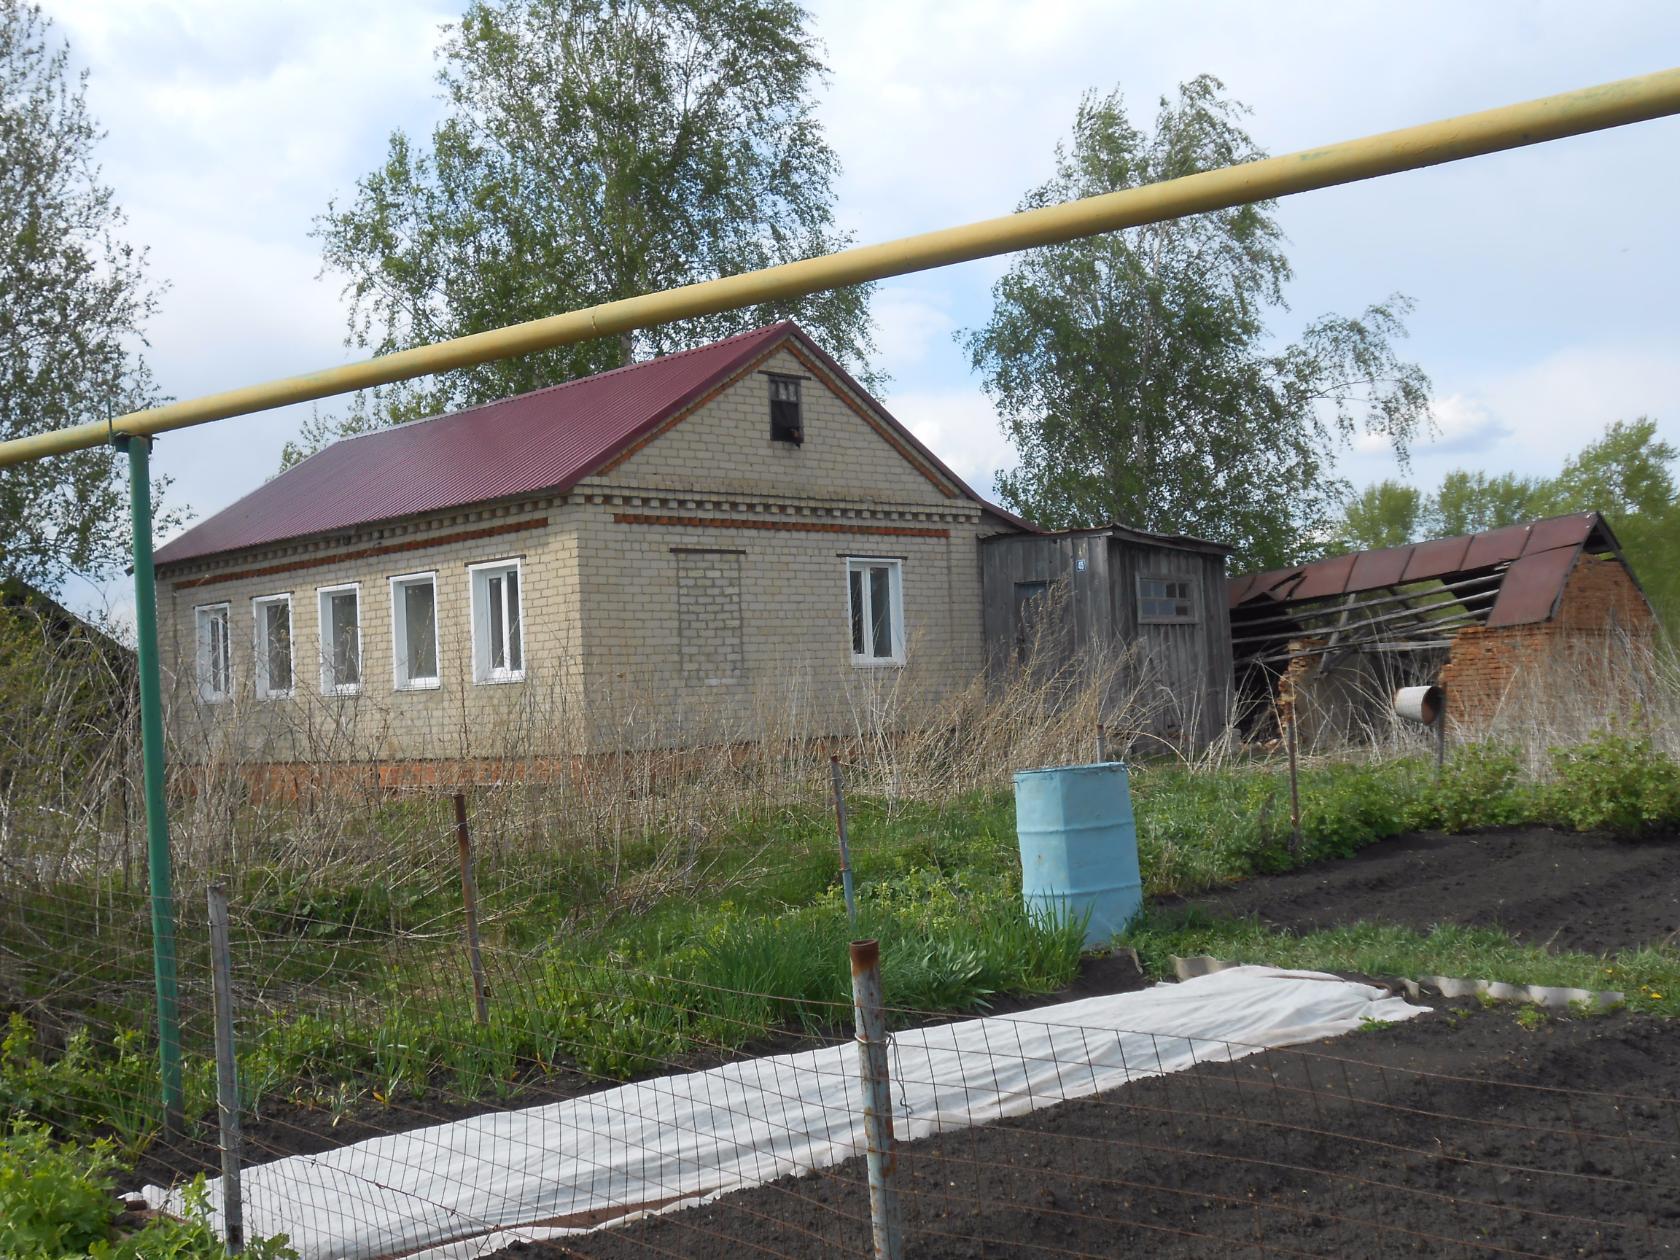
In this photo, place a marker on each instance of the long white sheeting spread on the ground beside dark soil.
(470, 1189)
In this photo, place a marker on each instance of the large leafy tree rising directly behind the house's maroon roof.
(592, 150)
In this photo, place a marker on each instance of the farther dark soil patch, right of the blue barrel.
(1557, 890)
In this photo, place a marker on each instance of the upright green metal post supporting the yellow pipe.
(139, 451)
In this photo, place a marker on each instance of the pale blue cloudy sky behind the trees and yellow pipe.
(1543, 278)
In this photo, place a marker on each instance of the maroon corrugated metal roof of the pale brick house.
(543, 441)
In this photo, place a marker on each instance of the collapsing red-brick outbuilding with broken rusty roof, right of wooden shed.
(1503, 621)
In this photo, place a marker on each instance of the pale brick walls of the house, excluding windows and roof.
(693, 592)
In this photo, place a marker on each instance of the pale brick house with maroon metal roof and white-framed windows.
(686, 550)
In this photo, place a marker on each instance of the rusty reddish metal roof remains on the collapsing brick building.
(1538, 560)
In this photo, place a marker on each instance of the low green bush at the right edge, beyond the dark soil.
(1615, 782)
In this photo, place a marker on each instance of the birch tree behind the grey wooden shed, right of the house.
(1137, 372)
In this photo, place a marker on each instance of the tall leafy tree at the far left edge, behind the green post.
(75, 300)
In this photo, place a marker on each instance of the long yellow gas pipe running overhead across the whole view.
(1427, 145)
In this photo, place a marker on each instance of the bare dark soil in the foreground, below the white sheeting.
(1348, 1150)
